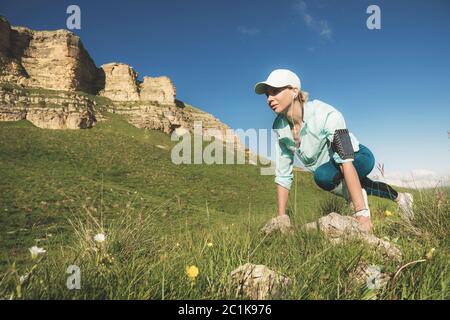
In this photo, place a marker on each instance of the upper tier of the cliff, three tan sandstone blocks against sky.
(58, 60)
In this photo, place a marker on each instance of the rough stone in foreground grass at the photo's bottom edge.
(258, 282)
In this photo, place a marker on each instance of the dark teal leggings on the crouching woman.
(328, 175)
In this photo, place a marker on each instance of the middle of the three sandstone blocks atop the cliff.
(119, 82)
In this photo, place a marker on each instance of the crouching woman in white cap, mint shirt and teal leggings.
(316, 133)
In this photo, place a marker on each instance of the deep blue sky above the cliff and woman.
(391, 85)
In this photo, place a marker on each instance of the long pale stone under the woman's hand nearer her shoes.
(339, 228)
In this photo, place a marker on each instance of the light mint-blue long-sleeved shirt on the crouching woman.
(320, 120)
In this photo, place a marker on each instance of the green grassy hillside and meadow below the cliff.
(59, 188)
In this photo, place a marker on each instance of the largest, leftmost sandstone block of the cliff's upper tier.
(47, 59)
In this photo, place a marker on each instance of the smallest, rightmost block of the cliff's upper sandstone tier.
(159, 89)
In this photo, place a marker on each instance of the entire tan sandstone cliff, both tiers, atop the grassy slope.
(49, 78)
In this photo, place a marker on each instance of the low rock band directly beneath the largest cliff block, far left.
(64, 111)
